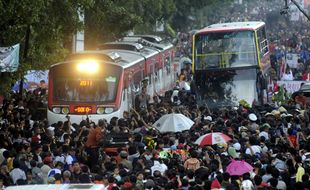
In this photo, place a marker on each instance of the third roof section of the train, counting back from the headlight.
(138, 39)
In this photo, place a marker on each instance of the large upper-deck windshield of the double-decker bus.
(225, 50)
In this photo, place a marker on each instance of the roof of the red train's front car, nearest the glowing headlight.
(122, 58)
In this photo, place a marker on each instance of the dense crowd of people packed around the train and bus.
(273, 140)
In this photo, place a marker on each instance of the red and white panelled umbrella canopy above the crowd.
(212, 138)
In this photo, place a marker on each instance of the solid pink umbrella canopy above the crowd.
(238, 168)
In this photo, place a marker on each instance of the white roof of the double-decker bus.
(231, 26)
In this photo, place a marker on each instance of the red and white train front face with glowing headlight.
(83, 89)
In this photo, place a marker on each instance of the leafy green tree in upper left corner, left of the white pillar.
(44, 29)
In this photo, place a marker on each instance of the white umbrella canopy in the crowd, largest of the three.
(173, 122)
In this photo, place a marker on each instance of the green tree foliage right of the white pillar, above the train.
(109, 20)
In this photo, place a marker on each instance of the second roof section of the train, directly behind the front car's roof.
(130, 46)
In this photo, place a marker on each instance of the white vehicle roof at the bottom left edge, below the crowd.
(57, 187)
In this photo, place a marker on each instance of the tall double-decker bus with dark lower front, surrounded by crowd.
(230, 62)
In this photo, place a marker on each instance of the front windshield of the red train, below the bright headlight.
(70, 86)
